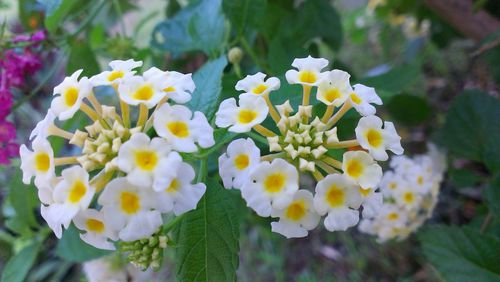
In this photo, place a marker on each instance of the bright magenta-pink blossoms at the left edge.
(15, 65)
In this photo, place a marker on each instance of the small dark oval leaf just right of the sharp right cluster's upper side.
(409, 109)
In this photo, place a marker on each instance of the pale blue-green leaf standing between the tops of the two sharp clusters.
(208, 80)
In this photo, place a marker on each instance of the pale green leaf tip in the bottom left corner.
(18, 266)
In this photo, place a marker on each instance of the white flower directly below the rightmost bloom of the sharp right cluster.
(360, 167)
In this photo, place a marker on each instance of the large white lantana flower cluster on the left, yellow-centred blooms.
(122, 180)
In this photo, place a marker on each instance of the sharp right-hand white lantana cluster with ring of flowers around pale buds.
(305, 143)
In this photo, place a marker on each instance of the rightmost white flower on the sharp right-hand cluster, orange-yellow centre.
(376, 140)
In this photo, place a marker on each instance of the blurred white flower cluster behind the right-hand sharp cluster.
(410, 192)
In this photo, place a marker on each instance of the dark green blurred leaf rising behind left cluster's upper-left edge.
(81, 56)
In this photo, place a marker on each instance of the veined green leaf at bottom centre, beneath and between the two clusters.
(208, 237)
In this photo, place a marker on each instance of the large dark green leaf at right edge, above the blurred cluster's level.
(472, 128)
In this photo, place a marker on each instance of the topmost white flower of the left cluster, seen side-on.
(119, 71)
